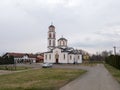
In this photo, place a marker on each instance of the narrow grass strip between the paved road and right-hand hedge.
(115, 72)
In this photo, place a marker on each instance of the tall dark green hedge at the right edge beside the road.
(113, 60)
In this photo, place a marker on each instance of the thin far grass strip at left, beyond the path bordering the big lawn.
(13, 68)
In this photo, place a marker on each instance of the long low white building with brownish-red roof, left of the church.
(22, 57)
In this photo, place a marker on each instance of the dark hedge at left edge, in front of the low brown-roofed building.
(6, 60)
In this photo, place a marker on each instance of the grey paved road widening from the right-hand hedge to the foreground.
(97, 78)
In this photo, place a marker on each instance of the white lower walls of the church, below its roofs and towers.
(61, 59)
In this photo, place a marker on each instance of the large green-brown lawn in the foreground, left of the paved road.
(38, 79)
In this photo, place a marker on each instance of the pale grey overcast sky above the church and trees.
(91, 25)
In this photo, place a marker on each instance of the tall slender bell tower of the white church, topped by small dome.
(51, 37)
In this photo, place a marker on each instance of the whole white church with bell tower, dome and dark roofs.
(60, 53)
